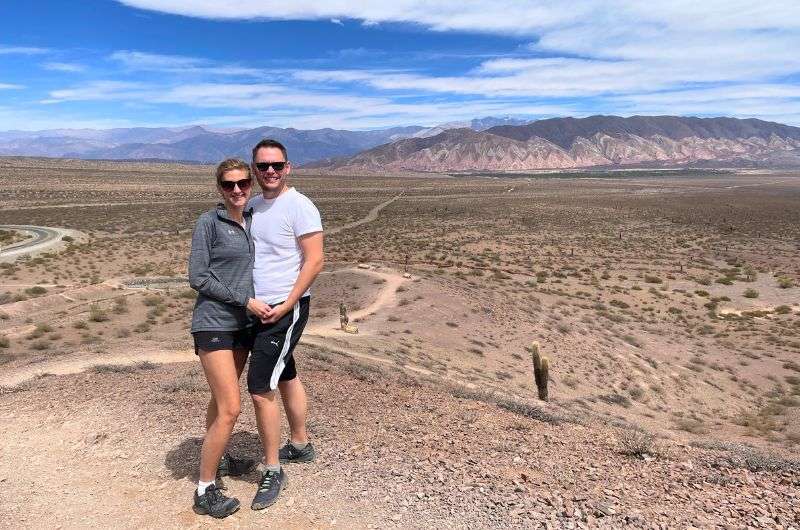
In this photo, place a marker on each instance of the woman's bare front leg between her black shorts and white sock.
(220, 368)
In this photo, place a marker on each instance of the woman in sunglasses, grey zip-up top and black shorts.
(220, 270)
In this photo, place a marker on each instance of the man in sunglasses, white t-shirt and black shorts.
(287, 233)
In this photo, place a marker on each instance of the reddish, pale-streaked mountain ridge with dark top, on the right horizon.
(561, 143)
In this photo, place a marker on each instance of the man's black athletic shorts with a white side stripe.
(271, 359)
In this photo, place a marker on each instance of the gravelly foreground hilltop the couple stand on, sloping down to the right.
(118, 447)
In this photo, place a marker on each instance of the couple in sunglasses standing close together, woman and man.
(252, 263)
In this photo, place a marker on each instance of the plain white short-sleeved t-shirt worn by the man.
(277, 223)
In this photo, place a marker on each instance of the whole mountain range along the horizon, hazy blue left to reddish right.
(485, 144)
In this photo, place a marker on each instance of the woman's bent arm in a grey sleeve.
(201, 278)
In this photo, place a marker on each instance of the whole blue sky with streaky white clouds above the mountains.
(246, 63)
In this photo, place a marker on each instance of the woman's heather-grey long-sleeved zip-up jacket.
(221, 271)
